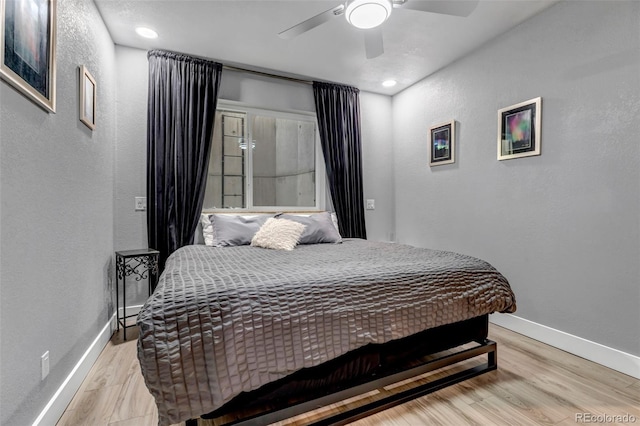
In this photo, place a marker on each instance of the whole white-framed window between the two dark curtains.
(264, 160)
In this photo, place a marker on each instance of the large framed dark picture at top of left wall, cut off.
(27, 49)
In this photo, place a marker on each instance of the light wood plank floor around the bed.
(535, 384)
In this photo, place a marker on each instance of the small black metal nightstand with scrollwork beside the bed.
(142, 264)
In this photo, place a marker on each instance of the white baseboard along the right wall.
(609, 357)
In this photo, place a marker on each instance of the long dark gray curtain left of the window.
(183, 94)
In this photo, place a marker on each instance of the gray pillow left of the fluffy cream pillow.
(235, 230)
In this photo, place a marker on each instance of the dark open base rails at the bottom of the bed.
(486, 346)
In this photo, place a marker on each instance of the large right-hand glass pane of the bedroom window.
(283, 162)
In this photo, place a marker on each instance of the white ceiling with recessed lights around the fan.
(245, 33)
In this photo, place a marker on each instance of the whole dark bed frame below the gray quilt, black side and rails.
(365, 370)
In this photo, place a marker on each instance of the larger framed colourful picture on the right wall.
(519, 129)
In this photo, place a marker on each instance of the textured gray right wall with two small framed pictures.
(564, 226)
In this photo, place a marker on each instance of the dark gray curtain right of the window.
(338, 112)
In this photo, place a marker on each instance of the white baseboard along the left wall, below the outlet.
(63, 396)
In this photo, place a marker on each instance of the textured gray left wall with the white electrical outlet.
(56, 223)
